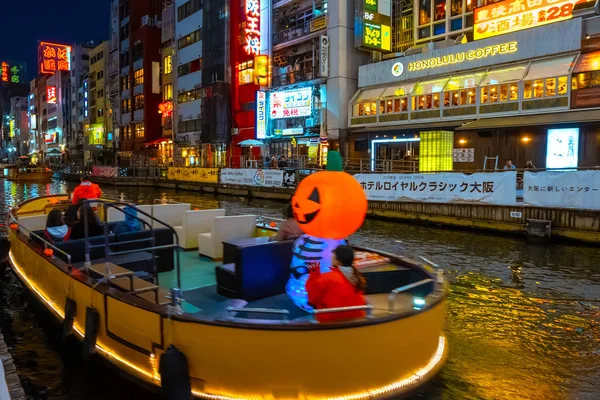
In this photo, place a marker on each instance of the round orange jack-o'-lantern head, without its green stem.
(329, 204)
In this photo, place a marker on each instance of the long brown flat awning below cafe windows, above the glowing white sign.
(531, 120)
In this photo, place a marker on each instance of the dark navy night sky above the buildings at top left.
(24, 22)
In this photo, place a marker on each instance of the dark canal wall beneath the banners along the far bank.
(521, 219)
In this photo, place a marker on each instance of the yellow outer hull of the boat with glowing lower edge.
(370, 360)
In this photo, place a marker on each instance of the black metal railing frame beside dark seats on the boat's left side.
(120, 206)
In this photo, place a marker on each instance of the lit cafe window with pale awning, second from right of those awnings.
(502, 85)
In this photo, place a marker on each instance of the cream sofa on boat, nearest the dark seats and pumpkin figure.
(210, 244)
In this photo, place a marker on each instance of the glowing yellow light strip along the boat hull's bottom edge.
(418, 375)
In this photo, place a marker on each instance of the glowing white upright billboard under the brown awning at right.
(563, 148)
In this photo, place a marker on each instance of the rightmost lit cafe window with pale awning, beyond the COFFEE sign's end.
(548, 78)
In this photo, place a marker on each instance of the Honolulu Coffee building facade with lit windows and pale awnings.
(503, 96)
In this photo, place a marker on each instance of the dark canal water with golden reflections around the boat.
(523, 318)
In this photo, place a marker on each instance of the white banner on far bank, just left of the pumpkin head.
(258, 177)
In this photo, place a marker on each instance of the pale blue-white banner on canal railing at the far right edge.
(564, 189)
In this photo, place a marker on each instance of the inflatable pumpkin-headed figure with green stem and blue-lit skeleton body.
(329, 206)
